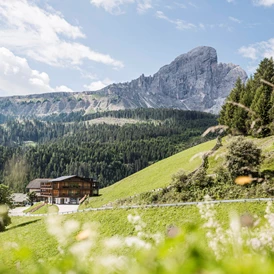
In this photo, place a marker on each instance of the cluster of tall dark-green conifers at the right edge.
(249, 107)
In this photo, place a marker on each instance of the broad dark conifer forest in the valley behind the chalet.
(32, 148)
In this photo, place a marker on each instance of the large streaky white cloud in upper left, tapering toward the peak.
(45, 36)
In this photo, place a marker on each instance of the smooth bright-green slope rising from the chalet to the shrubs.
(152, 177)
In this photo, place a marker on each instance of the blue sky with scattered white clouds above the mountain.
(79, 45)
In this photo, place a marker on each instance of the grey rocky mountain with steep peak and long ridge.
(193, 81)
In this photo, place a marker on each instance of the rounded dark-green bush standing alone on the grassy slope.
(243, 157)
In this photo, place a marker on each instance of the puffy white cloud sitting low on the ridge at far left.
(16, 77)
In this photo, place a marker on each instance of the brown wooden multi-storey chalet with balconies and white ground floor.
(68, 189)
